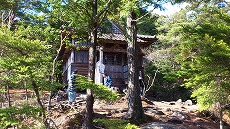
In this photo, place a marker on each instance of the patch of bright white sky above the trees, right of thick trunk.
(169, 9)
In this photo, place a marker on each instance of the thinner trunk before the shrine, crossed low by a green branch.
(88, 123)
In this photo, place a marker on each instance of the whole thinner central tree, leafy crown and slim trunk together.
(91, 14)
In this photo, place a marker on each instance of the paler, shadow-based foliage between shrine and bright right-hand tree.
(162, 63)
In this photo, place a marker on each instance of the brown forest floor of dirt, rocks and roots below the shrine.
(161, 114)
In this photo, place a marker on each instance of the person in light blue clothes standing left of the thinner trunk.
(72, 88)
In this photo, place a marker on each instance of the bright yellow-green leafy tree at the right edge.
(204, 56)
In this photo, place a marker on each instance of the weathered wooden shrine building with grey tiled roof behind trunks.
(111, 56)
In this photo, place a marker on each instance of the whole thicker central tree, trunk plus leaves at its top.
(131, 8)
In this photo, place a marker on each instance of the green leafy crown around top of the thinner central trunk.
(81, 22)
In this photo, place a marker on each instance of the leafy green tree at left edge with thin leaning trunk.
(27, 54)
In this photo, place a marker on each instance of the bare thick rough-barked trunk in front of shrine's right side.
(135, 111)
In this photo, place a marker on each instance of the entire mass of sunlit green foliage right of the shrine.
(194, 50)
